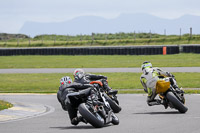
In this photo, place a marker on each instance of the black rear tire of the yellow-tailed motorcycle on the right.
(176, 103)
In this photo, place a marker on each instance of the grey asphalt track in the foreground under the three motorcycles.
(136, 117)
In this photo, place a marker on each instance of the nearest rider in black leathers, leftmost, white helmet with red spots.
(66, 88)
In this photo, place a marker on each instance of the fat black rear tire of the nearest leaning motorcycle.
(94, 119)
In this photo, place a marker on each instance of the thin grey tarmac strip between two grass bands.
(96, 70)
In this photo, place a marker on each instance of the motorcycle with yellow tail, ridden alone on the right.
(172, 97)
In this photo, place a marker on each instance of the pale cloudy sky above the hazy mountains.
(14, 13)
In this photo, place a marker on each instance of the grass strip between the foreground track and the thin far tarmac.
(49, 83)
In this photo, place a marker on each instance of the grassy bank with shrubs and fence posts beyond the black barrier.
(118, 39)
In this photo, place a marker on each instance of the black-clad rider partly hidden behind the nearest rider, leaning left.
(85, 78)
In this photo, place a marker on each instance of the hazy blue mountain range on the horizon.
(123, 23)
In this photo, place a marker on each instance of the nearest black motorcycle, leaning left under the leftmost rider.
(93, 107)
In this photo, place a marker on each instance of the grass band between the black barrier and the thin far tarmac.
(99, 61)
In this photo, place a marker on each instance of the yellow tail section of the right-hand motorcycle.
(162, 86)
